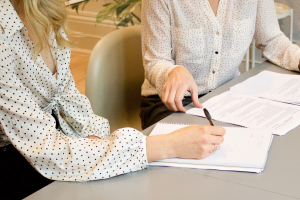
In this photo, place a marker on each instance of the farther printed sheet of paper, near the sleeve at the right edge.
(271, 85)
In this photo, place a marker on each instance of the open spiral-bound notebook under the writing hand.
(243, 150)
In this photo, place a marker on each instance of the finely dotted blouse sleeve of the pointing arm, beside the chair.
(156, 43)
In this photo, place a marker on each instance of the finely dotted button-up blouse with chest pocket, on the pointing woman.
(187, 33)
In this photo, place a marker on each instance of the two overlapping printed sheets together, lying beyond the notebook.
(258, 103)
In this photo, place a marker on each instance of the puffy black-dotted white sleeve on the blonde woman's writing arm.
(53, 154)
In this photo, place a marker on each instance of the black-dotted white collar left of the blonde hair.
(9, 19)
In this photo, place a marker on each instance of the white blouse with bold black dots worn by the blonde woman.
(47, 119)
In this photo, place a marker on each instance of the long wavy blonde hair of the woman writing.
(45, 16)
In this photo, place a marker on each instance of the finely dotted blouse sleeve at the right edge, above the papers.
(276, 47)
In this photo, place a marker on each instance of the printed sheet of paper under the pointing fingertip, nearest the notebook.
(251, 112)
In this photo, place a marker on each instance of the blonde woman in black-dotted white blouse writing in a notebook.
(48, 128)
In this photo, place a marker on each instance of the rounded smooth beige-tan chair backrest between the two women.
(114, 78)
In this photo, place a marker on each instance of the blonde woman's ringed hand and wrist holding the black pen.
(194, 142)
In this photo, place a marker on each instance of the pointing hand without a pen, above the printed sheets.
(179, 81)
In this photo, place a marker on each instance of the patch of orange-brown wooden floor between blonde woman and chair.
(78, 67)
